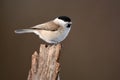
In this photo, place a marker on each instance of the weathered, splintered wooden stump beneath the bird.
(45, 65)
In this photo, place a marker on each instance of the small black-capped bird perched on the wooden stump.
(53, 31)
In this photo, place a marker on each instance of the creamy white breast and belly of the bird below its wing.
(56, 36)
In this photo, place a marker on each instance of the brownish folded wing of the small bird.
(49, 26)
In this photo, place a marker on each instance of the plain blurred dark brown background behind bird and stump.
(90, 52)
